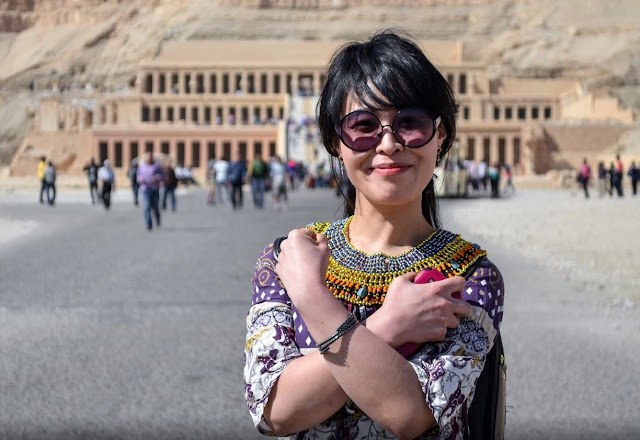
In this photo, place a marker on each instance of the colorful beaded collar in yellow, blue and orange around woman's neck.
(363, 279)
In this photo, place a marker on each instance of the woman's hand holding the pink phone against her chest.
(419, 312)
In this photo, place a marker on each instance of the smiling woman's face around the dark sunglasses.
(390, 173)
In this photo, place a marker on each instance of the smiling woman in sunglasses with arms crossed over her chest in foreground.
(388, 115)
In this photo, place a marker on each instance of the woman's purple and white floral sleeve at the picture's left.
(270, 343)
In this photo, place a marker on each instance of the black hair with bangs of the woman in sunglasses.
(388, 71)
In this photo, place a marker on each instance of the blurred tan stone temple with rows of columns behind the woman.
(198, 100)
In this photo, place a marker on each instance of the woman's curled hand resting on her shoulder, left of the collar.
(303, 262)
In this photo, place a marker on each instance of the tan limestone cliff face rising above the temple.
(71, 43)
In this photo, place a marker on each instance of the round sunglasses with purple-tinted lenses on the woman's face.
(413, 127)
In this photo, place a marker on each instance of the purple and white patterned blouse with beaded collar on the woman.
(447, 370)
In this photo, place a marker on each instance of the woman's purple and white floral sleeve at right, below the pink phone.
(449, 370)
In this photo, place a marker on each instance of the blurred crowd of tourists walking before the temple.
(227, 179)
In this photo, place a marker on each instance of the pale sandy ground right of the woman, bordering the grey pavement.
(591, 243)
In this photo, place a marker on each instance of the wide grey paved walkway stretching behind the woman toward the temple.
(110, 331)
